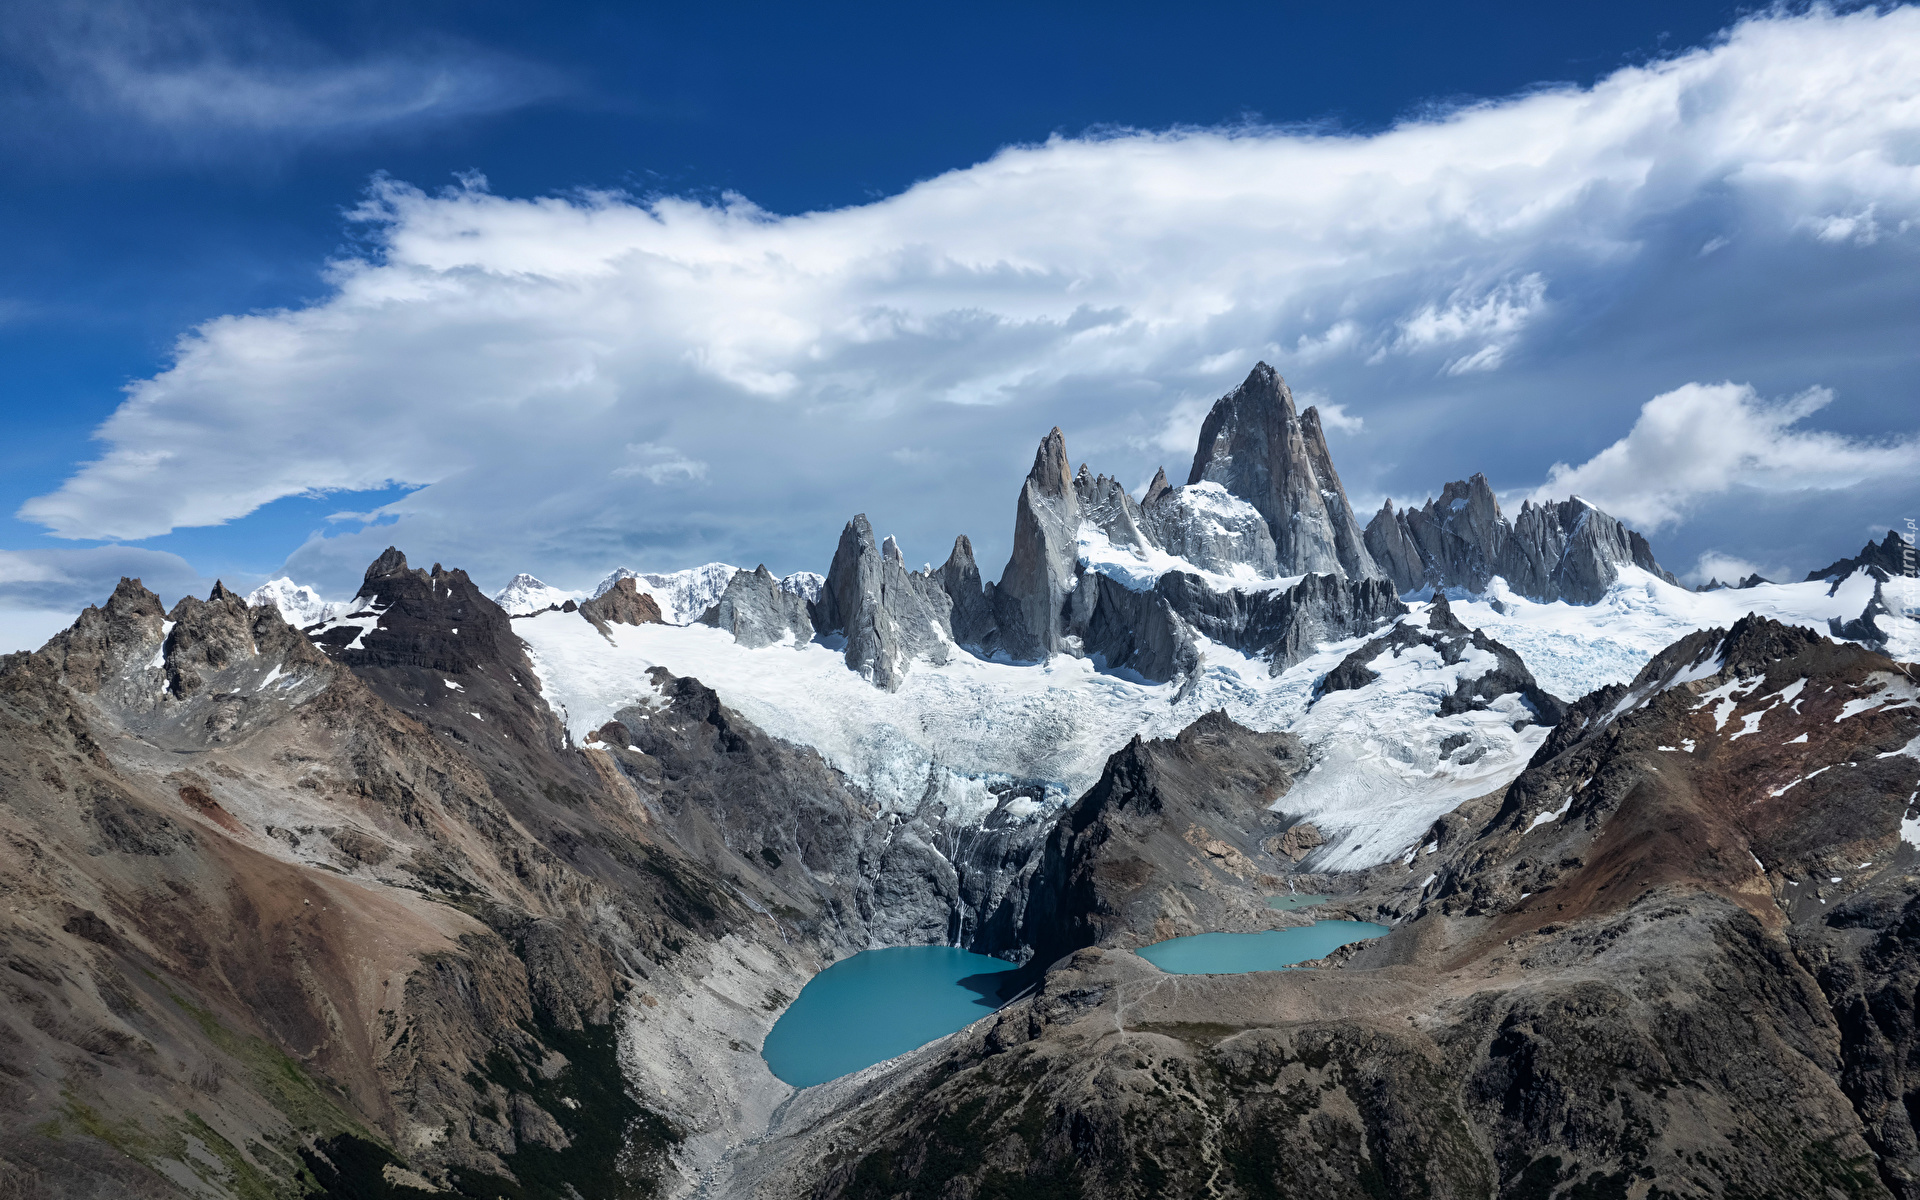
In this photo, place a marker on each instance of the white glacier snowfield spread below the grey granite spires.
(1380, 773)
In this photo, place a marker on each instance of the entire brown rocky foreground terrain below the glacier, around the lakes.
(350, 917)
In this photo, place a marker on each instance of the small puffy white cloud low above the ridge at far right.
(1708, 439)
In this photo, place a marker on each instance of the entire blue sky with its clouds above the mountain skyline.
(537, 289)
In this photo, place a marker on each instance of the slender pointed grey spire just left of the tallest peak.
(1028, 604)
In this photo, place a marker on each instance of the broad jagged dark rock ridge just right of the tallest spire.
(1554, 552)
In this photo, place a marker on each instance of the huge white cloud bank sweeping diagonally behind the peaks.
(504, 354)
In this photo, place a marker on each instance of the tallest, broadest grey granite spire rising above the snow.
(1276, 460)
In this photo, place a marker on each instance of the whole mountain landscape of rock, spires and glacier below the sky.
(446, 894)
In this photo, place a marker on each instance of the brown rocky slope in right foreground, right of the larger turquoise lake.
(1675, 959)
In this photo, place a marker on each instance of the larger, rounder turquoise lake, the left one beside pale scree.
(880, 1005)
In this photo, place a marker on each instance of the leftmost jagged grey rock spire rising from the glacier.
(888, 615)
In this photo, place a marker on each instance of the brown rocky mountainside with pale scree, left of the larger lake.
(347, 915)
